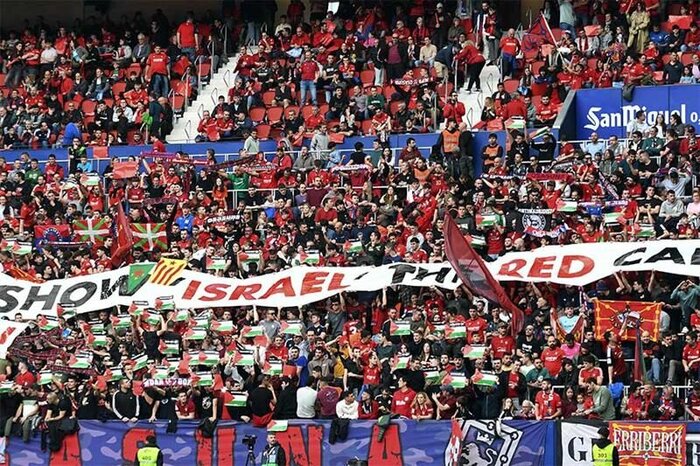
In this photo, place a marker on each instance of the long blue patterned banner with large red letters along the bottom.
(113, 443)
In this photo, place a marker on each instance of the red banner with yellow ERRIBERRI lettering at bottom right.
(649, 443)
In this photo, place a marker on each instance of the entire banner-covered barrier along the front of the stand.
(405, 443)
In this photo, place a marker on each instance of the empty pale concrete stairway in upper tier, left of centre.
(185, 128)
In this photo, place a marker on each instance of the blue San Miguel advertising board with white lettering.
(605, 111)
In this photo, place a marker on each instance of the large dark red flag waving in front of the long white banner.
(476, 277)
